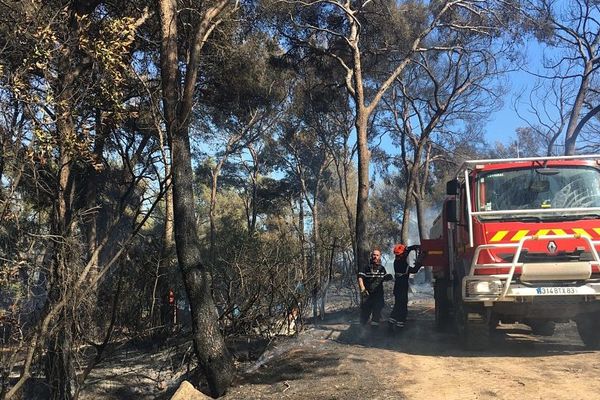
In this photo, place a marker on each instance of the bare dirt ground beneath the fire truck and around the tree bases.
(338, 359)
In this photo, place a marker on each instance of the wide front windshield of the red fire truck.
(538, 188)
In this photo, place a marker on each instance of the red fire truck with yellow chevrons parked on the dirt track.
(517, 240)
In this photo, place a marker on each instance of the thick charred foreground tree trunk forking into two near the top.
(214, 358)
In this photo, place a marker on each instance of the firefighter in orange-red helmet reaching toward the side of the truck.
(402, 272)
